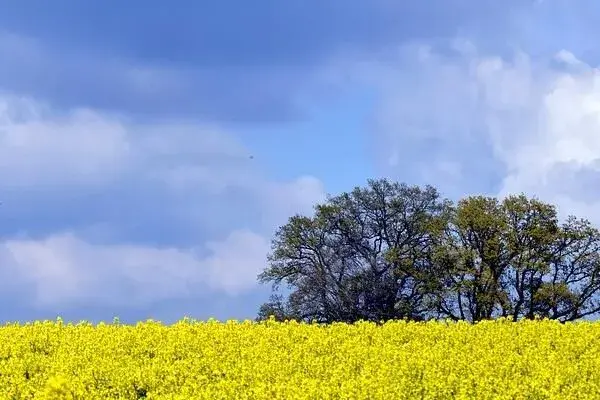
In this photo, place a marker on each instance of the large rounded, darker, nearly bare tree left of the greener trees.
(363, 255)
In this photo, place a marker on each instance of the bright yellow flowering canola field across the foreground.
(271, 360)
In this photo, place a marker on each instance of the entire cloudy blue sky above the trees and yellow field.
(149, 150)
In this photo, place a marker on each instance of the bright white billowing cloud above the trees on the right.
(507, 125)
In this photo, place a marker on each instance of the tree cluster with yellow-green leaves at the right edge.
(514, 259)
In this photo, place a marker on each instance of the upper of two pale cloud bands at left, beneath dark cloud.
(84, 147)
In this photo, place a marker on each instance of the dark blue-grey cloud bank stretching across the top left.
(229, 61)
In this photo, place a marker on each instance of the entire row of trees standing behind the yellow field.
(392, 251)
